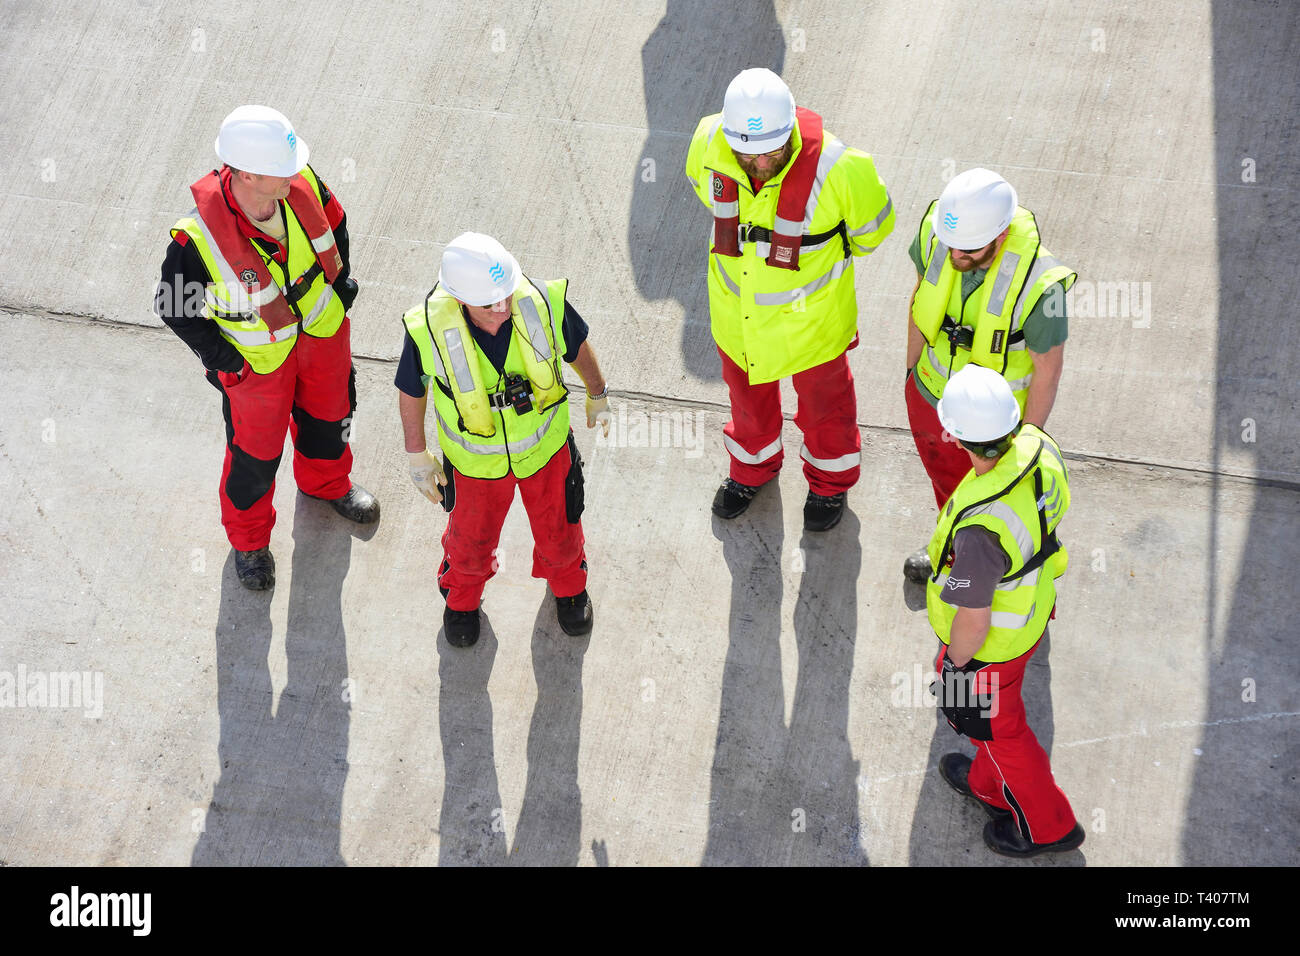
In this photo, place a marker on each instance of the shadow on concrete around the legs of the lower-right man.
(947, 828)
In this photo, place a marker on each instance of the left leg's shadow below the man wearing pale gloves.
(471, 825)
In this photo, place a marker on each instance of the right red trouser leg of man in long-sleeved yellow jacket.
(829, 418)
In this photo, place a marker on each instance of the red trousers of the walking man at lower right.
(1012, 771)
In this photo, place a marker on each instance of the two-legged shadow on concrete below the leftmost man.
(284, 763)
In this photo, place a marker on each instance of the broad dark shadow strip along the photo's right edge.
(1245, 802)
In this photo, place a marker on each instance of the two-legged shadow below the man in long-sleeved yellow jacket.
(787, 795)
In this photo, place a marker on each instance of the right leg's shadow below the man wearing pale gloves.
(551, 819)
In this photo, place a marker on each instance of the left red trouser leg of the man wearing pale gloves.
(474, 530)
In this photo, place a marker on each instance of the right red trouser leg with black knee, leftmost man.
(324, 400)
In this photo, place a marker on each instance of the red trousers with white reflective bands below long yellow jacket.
(827, 416)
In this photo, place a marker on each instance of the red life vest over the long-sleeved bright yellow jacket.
(791, 204)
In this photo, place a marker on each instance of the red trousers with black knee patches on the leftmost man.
(313, 395)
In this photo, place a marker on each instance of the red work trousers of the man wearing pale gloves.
(470, 553)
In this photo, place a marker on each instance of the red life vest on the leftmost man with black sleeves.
(245, 259)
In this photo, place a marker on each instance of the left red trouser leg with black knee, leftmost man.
(257, 416)
